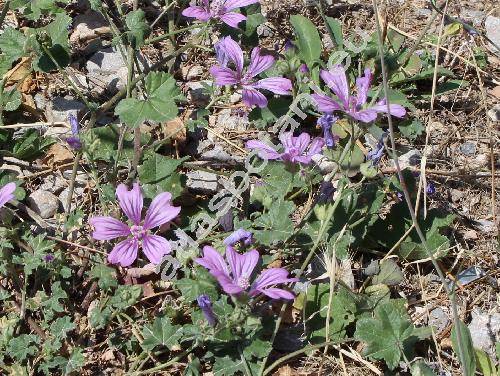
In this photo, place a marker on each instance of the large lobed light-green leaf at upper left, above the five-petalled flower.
(159, 105)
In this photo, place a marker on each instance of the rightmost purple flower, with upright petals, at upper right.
(352, 105)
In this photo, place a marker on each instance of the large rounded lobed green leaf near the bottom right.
(389, 334)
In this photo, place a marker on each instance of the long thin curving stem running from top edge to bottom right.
(406, 194)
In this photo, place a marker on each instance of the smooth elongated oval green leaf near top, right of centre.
(308, 39)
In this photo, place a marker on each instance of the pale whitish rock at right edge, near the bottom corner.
(485, 331)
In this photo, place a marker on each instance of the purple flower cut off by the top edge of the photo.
(218, 9)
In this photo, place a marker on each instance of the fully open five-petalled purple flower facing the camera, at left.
(138, 232)
